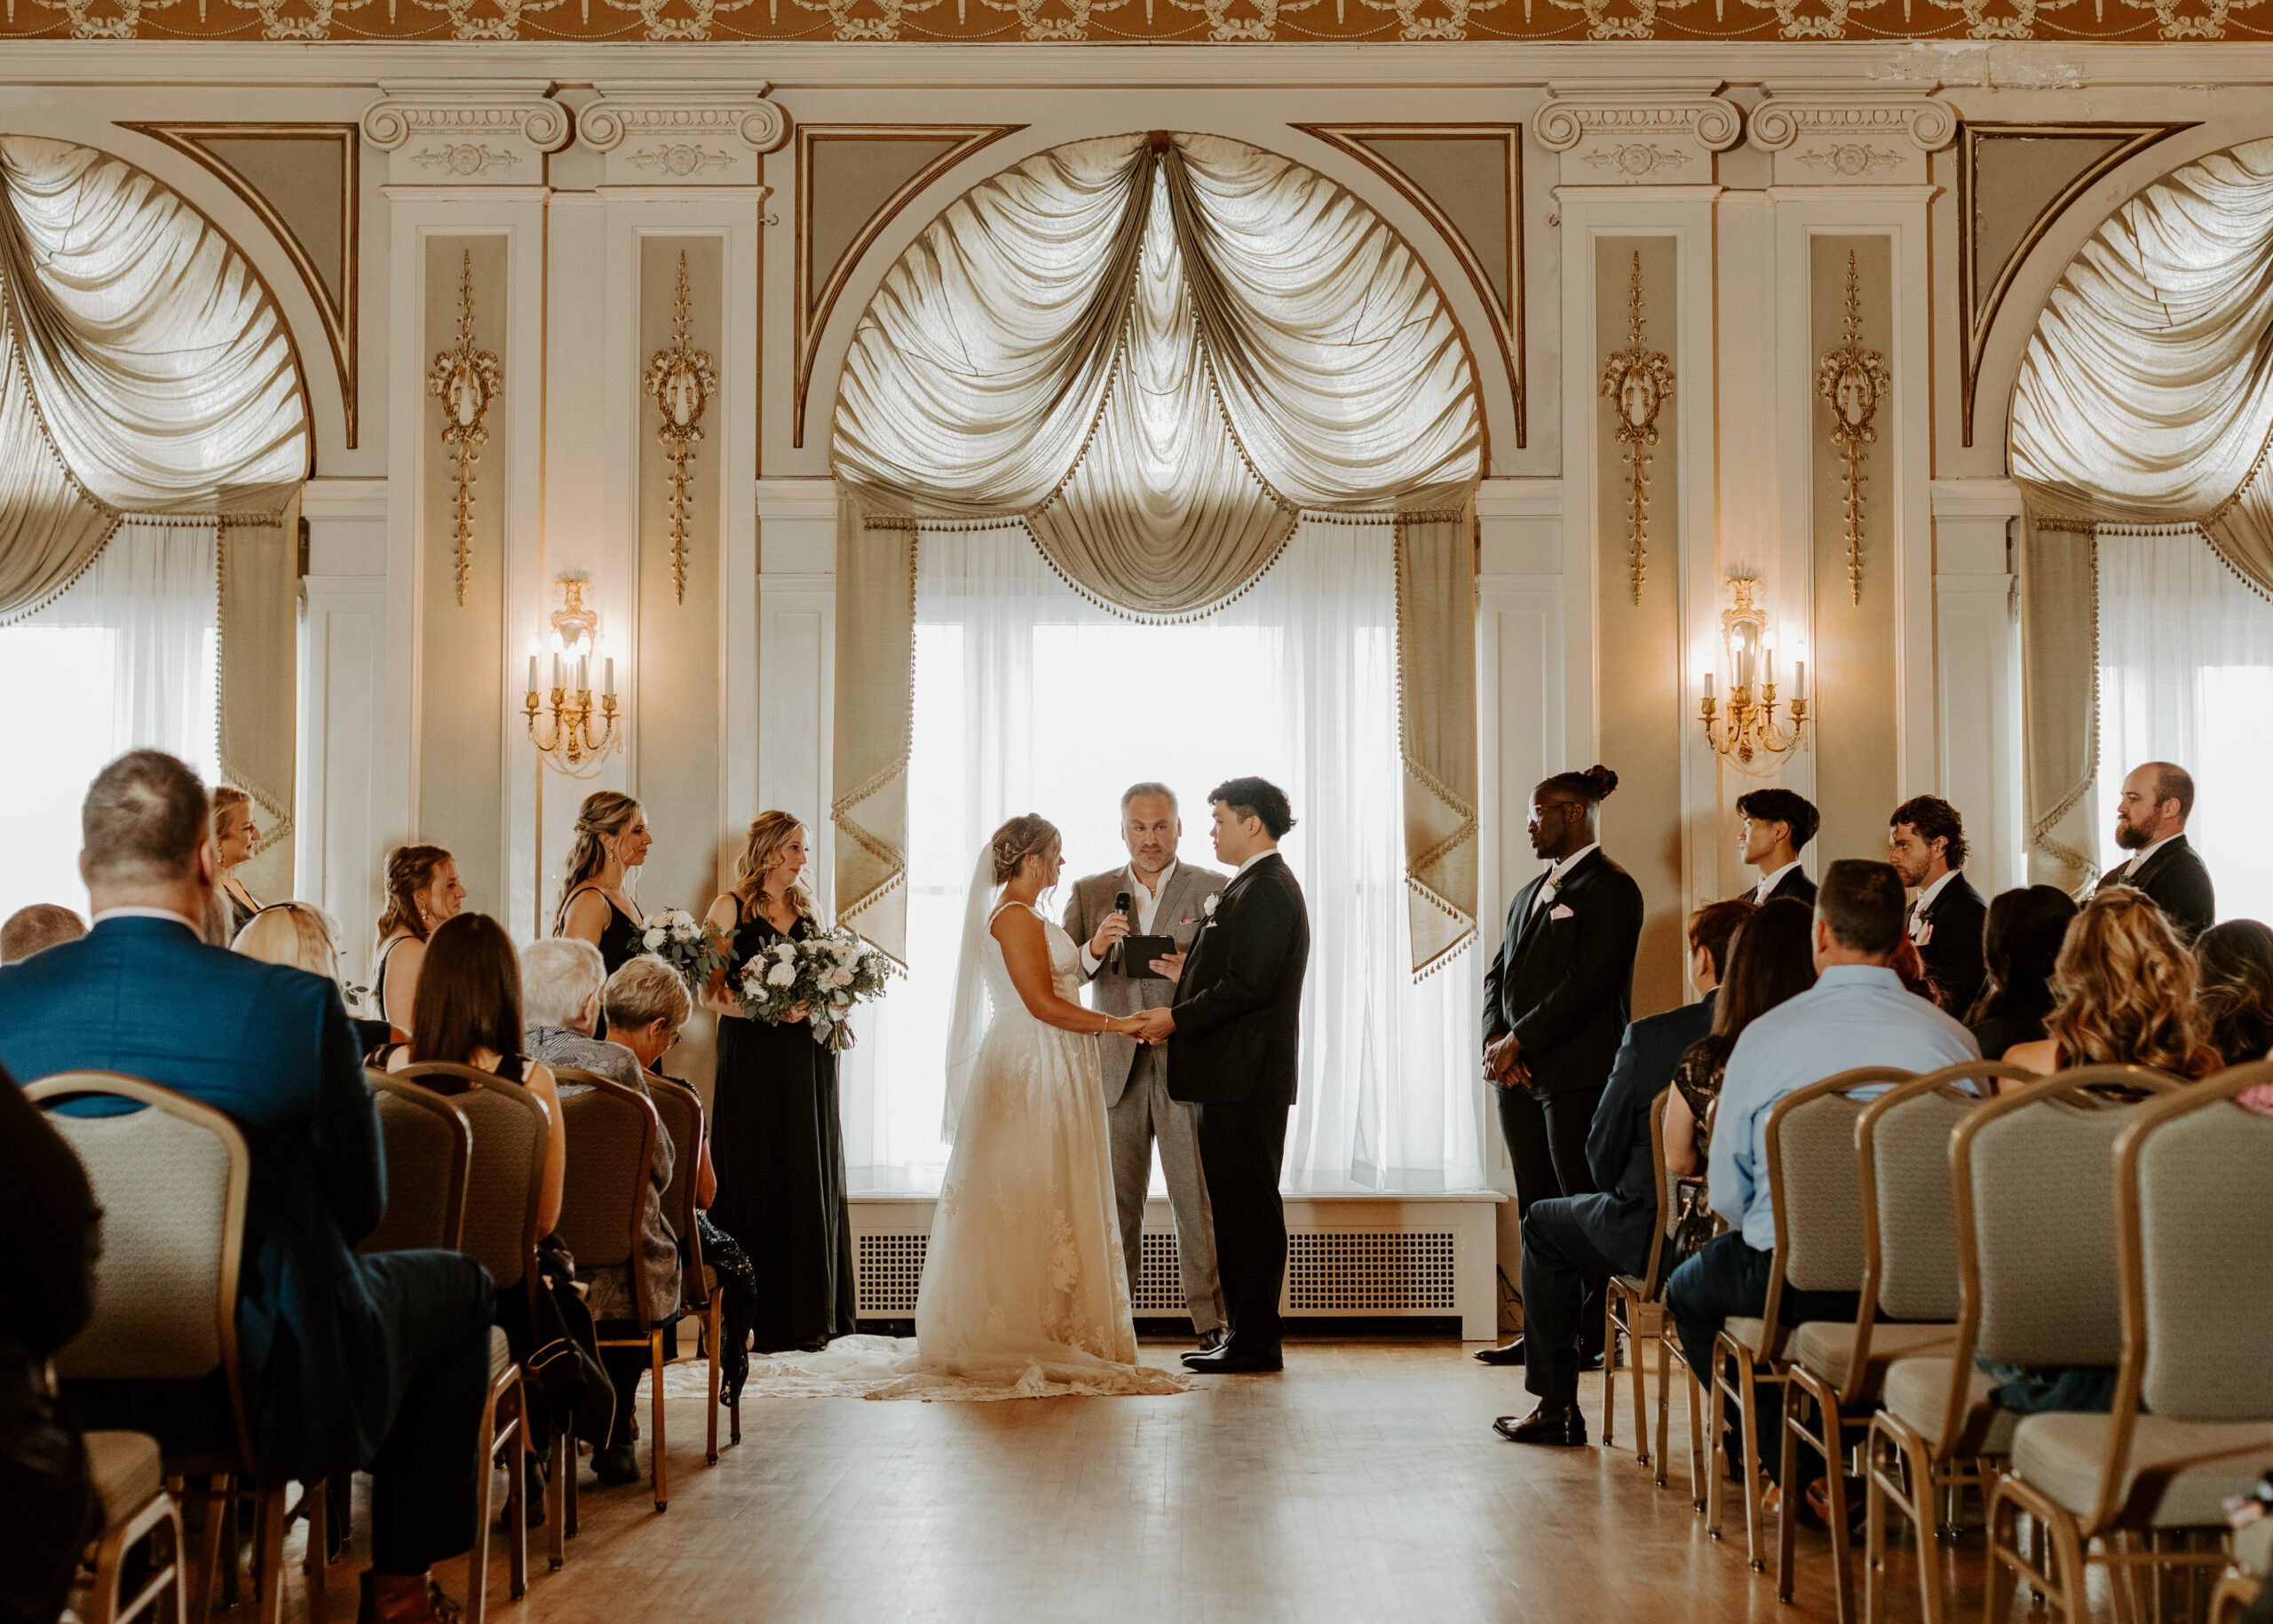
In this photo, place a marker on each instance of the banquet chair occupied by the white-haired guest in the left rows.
(613, 1134)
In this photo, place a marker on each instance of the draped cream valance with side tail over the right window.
(2145, 401)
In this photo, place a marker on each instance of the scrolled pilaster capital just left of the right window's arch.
(1833, 133)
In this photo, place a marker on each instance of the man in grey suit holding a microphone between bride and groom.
(1165, 900)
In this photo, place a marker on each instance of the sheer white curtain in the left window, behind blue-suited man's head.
(122, 661)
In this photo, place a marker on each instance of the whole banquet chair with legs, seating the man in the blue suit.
(172, 1179)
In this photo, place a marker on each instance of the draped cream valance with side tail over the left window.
(144, 372)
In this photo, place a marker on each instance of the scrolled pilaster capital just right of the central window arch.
(1629, 135)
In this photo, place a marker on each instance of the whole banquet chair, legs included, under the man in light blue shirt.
(1813, 1191)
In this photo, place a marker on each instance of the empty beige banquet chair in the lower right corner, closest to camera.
(2192, 1416)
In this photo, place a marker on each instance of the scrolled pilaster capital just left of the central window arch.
(676, 131)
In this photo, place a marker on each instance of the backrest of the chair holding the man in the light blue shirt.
(1815, 1179)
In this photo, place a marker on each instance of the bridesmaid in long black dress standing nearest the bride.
(776, 1136)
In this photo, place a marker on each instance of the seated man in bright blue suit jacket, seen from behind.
(349, 1361)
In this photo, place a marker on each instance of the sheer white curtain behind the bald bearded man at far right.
(2188, 677)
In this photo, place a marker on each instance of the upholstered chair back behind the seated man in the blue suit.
(172, 1179)
